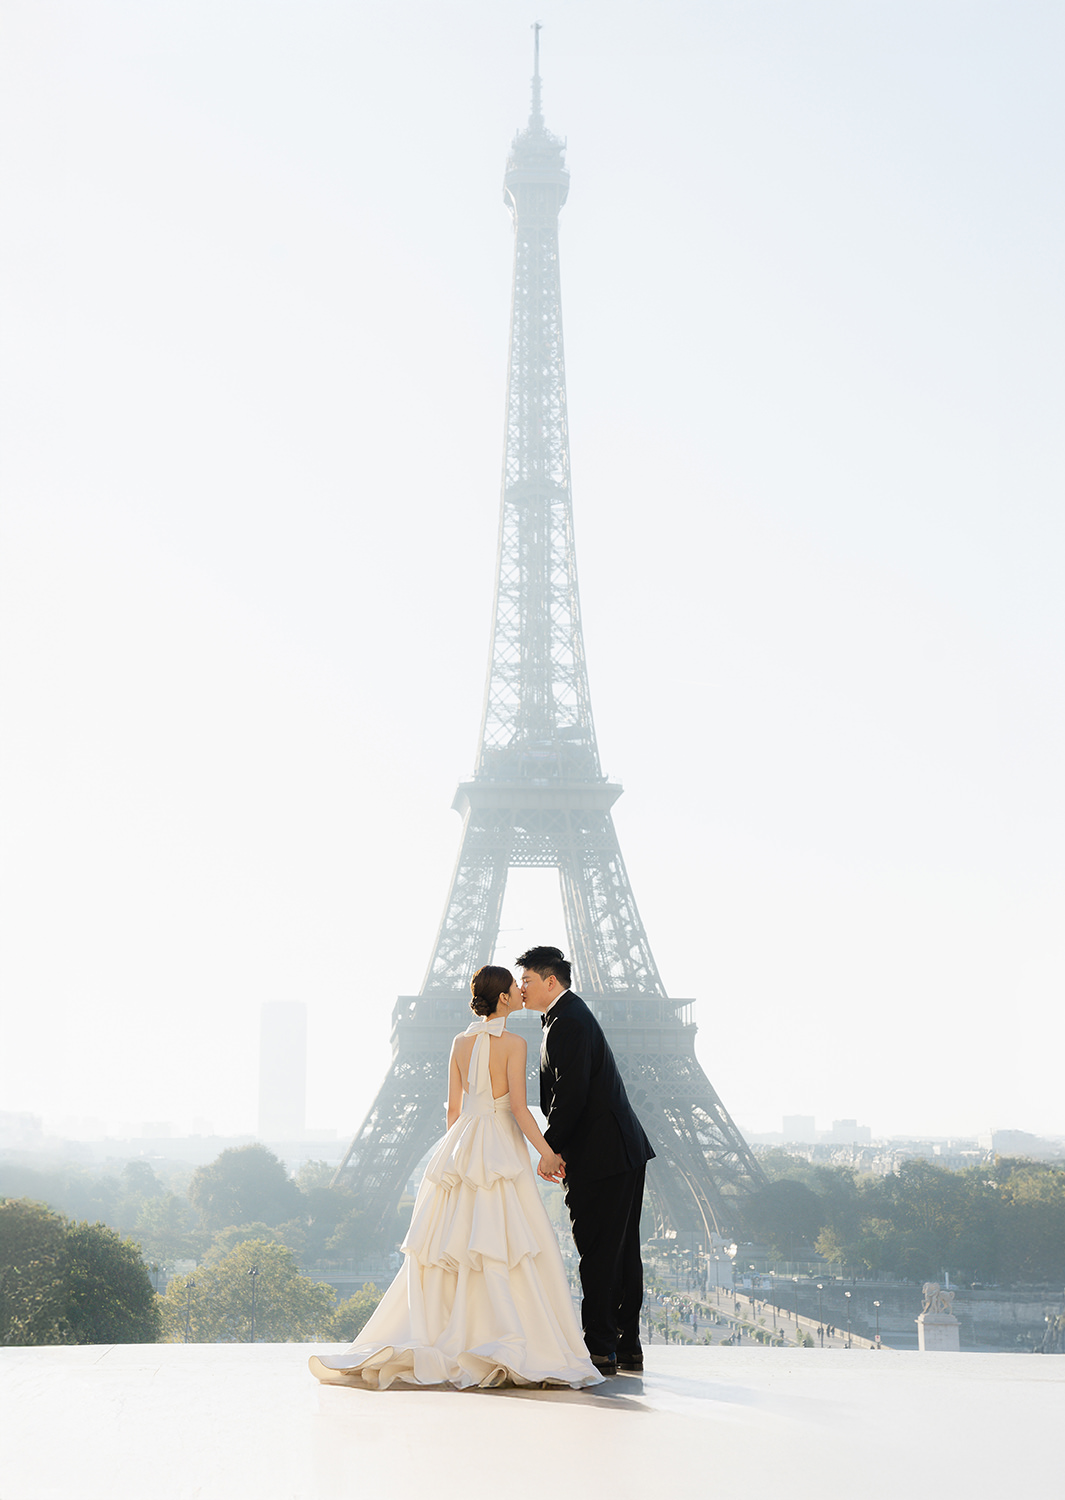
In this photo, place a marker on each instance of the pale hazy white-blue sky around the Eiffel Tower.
(256, 302)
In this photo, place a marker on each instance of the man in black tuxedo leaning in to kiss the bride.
(593, 1129)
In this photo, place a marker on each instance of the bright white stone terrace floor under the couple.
(224, 1423)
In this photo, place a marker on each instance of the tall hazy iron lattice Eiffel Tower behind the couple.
(539, 797)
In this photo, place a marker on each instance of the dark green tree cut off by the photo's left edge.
(32, 1274)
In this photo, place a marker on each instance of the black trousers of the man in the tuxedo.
(605, 1220)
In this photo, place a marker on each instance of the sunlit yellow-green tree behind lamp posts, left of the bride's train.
(289, 1307)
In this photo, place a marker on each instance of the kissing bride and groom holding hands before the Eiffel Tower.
(482, 1297)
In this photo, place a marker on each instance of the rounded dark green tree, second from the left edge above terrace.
(109, 1292)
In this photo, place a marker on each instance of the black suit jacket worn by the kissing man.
(590, 1121)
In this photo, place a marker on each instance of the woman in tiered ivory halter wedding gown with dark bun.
(482, 1297)
